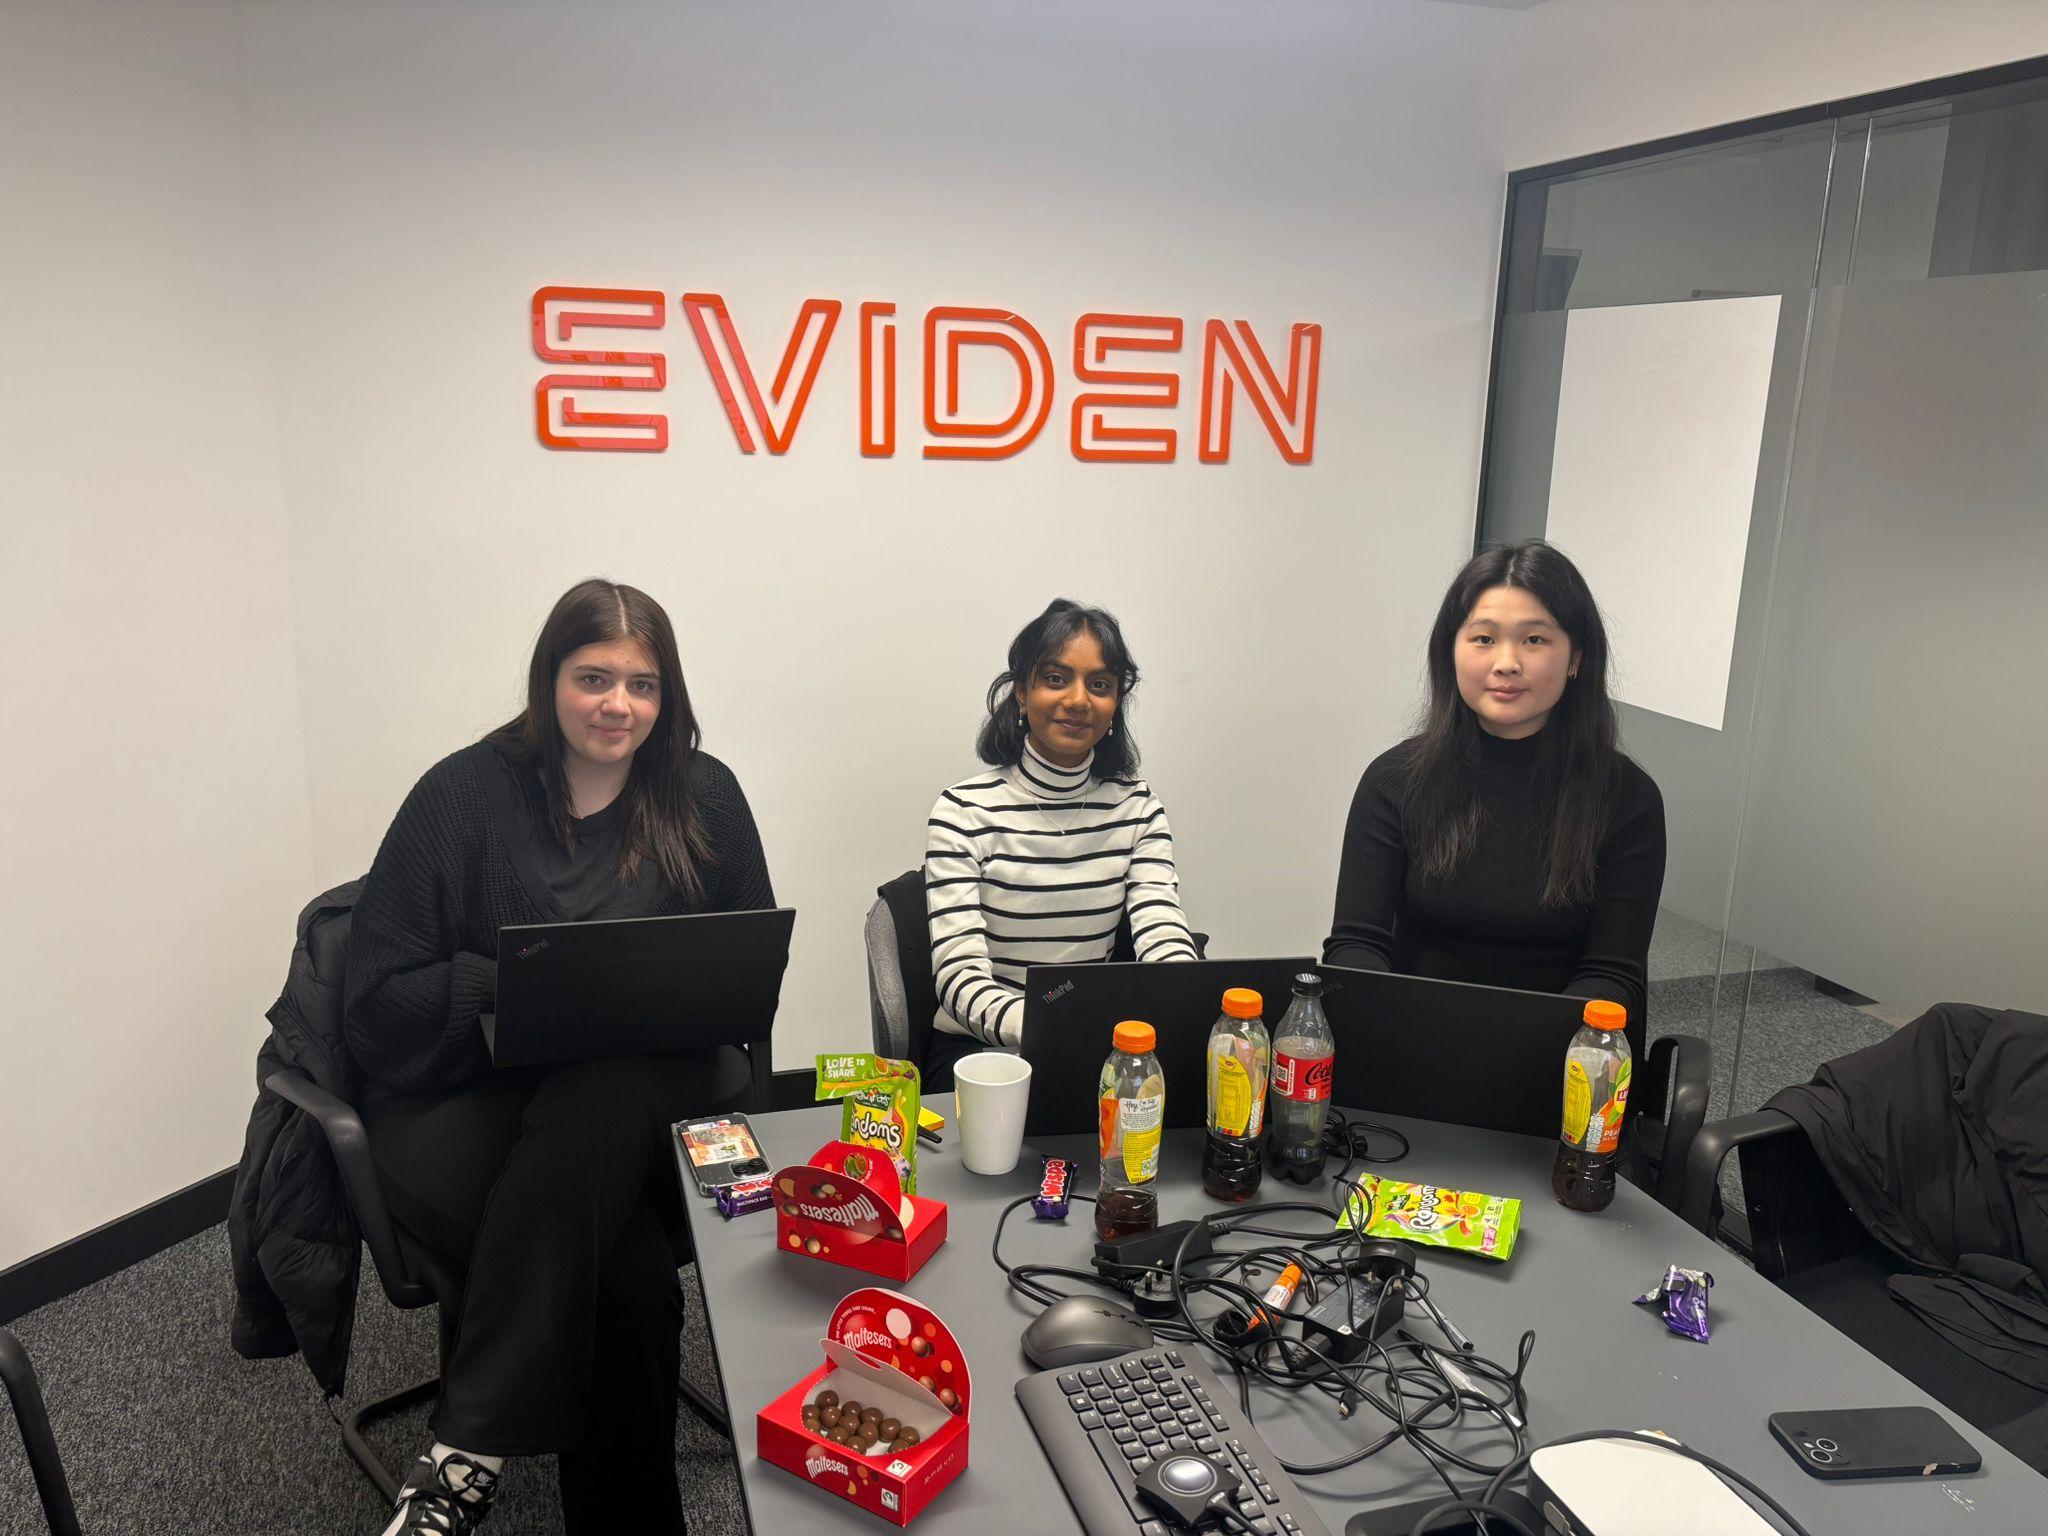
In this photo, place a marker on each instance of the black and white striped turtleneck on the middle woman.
(1035, 865)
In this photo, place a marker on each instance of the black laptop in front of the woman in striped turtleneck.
(1070, 1013)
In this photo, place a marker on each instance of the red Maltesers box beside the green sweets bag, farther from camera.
(849, 1207)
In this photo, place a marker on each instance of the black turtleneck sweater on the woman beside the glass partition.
(1488, 921)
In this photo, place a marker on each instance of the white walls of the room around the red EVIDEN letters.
(314, 230)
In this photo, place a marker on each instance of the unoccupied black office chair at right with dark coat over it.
(1809, 1244)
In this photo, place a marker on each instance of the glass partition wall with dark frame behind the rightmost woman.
(1785, 396)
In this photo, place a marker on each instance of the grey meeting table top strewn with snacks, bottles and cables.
(1601, 1361)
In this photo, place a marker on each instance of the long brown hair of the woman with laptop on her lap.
(660, 818)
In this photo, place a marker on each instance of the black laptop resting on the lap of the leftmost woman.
(636, 986)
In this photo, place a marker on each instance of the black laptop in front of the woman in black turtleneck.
(1449, 1050)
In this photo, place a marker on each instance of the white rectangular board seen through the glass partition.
(1660, 423)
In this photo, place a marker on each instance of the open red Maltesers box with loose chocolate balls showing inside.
(892, 1353)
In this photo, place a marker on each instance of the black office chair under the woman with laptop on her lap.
(415, 1275)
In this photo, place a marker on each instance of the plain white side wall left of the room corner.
(153, 826)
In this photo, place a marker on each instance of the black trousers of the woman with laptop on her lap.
(556, 1193)
